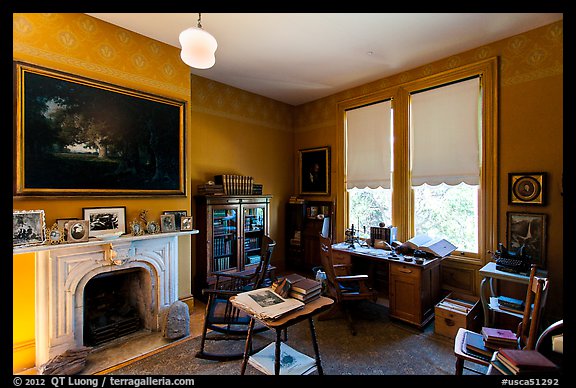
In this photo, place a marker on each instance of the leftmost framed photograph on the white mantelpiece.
(29, 227)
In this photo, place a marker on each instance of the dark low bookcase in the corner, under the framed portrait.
(302, 218)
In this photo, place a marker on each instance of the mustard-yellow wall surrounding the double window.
(530, 127)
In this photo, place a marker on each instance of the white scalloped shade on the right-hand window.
(445, 134)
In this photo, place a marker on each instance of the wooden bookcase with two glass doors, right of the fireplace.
(230, 235)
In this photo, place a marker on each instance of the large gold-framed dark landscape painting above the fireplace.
(76, 136)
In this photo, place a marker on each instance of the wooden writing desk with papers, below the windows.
(413, 289)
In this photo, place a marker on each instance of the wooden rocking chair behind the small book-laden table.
(221, 317)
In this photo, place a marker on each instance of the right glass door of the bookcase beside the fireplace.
(254, 227)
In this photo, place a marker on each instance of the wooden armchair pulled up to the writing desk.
(342, 286)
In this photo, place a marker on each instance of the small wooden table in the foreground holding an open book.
(307, 312)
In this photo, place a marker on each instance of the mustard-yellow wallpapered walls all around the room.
(233, 131)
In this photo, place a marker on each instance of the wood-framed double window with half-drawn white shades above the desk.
(441, 146)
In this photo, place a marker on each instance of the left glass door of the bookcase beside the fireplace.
(225, 236)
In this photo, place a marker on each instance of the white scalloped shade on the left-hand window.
(368, 146)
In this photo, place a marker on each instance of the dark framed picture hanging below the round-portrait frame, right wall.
(528, 229)
